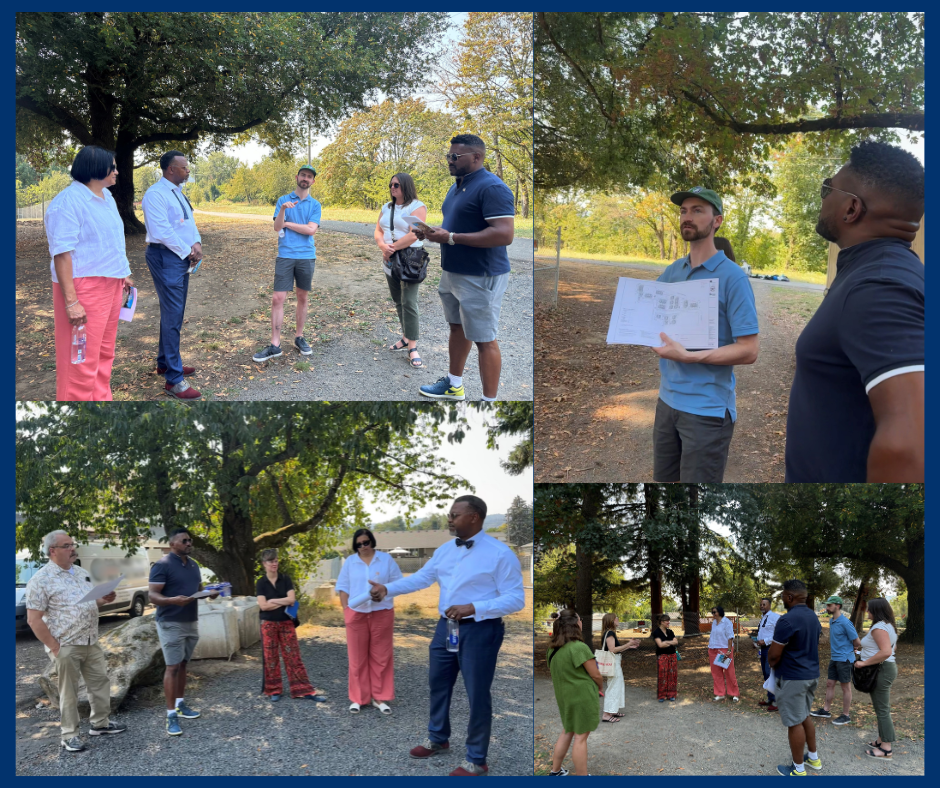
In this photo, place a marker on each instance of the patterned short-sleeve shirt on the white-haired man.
(56, 592)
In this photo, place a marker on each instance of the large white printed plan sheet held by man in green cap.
(686, 311)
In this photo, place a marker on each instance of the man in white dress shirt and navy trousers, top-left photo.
(173, 247)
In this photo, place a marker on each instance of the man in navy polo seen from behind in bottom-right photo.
(794, 657)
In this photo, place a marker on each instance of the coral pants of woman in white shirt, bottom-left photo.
(371, 662)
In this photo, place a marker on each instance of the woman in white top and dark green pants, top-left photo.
(391, 239)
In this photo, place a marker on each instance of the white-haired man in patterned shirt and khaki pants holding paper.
(69, 631)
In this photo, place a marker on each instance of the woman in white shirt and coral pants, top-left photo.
(90, 274)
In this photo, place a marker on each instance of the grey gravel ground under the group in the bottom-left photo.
(244, 734)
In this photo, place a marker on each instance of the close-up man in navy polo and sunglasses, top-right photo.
(856, 409)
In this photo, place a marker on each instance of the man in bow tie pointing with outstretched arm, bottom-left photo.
(481, 581)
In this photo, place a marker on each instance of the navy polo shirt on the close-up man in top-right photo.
(869, 326)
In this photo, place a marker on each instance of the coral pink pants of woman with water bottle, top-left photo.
(102, 297)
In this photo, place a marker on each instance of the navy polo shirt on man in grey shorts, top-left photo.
(472, 200)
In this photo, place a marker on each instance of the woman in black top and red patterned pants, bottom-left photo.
(276, 593)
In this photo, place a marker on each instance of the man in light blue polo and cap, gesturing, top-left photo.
(296, 221)
